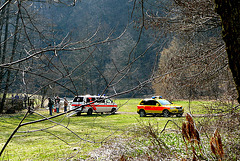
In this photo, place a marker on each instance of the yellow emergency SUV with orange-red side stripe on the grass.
(158, 106)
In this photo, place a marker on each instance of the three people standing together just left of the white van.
(56, 104)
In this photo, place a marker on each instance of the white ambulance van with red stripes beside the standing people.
(92, 103)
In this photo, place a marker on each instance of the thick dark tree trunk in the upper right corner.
(229, 11)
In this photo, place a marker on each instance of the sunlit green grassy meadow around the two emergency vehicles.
(75, 136)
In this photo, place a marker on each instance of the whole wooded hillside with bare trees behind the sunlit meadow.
(69, 48)
